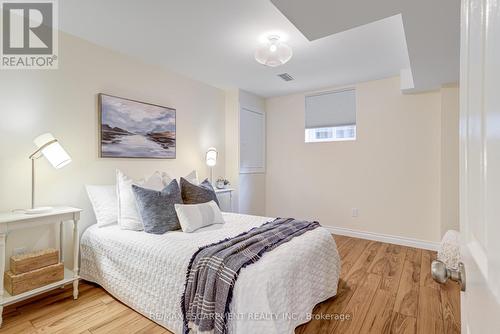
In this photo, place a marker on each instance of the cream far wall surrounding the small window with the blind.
(391, 173)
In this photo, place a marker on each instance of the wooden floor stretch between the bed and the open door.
(387, 288)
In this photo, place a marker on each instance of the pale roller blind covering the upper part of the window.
(331, 109)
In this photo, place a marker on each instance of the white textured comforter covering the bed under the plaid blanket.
(147, 272)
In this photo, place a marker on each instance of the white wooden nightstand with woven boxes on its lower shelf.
(12, 221)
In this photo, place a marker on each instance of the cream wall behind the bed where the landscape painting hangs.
(64, 102)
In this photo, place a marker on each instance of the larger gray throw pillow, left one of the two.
(157, 207)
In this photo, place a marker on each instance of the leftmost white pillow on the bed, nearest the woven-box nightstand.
(104, 203)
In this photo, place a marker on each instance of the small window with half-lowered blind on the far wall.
(331, 116)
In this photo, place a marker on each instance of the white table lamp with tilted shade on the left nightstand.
(50, 148)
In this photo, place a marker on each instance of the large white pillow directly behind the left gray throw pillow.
(128, 214)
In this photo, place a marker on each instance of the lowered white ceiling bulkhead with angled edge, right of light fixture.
(432, 30)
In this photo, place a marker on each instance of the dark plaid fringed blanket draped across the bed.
(213, 270)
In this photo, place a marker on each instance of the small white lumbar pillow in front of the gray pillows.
(196, 216)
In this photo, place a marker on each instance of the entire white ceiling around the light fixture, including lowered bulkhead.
(214, 41)
